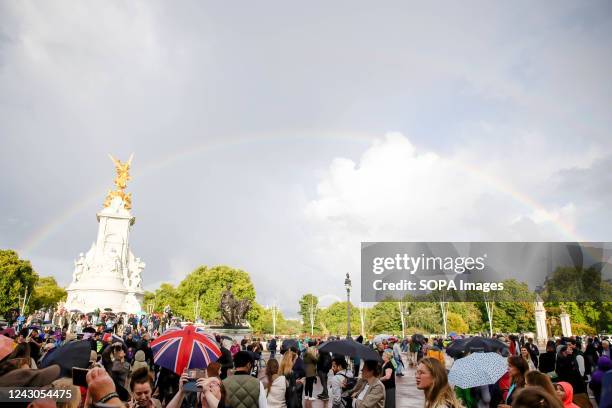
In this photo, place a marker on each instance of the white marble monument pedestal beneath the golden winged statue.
(108, 275)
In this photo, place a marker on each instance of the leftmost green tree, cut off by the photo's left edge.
(16, 275)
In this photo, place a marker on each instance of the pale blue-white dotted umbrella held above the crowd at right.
(477, 369)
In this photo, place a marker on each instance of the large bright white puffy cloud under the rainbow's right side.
(398, 193)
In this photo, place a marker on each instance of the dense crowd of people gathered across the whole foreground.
(122, 371)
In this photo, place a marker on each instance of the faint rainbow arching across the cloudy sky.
(43, 233)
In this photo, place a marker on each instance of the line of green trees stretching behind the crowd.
(198, 296)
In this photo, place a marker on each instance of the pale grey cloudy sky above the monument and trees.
(274, 137)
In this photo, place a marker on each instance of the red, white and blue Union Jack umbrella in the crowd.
(189, 347)
